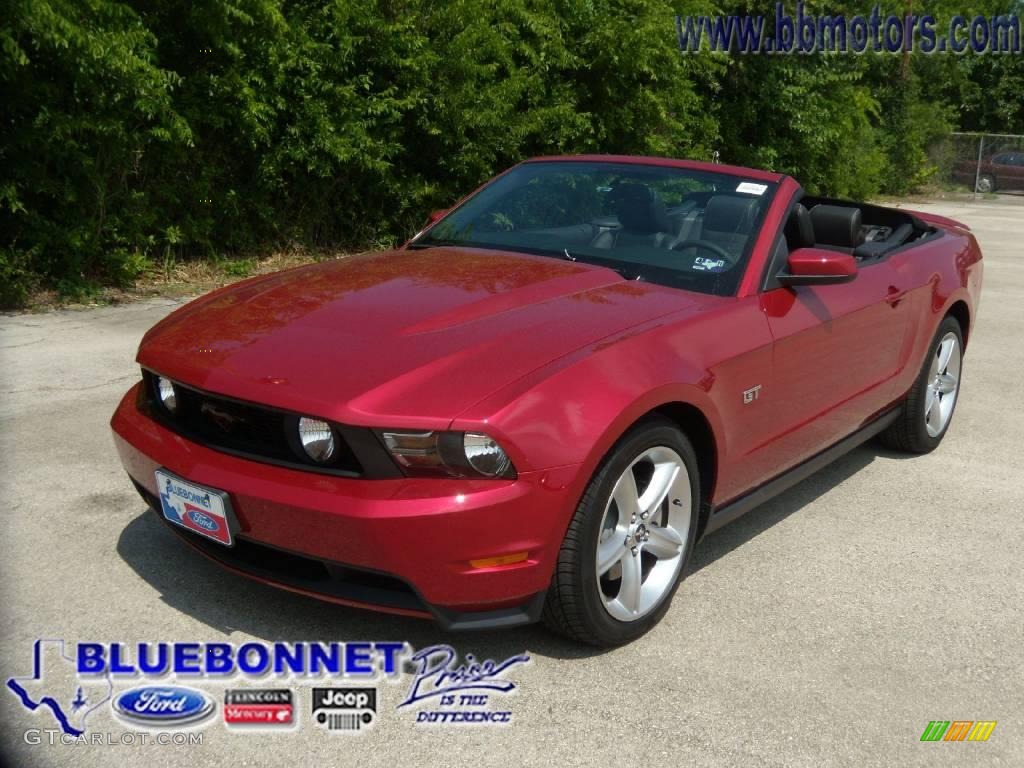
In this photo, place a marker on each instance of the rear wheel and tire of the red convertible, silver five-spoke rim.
(927, 412)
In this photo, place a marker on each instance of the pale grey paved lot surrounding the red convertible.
(827, 628)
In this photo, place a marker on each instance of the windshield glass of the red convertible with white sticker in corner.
(681, 228)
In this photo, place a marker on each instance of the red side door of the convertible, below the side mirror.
(837, 351)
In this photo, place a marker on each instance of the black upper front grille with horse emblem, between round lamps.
(250, 431)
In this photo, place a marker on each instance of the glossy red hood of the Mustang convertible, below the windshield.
(402, 338)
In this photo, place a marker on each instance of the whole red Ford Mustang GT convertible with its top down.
(538, 406)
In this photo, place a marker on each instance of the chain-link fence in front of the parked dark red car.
(987, 164)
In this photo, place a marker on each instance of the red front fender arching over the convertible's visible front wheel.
(574, 411)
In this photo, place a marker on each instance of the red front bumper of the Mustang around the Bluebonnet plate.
(400, 545)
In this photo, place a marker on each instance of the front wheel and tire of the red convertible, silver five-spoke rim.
(648, 542)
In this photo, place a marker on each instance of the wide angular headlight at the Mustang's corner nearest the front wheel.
(455, 454)
